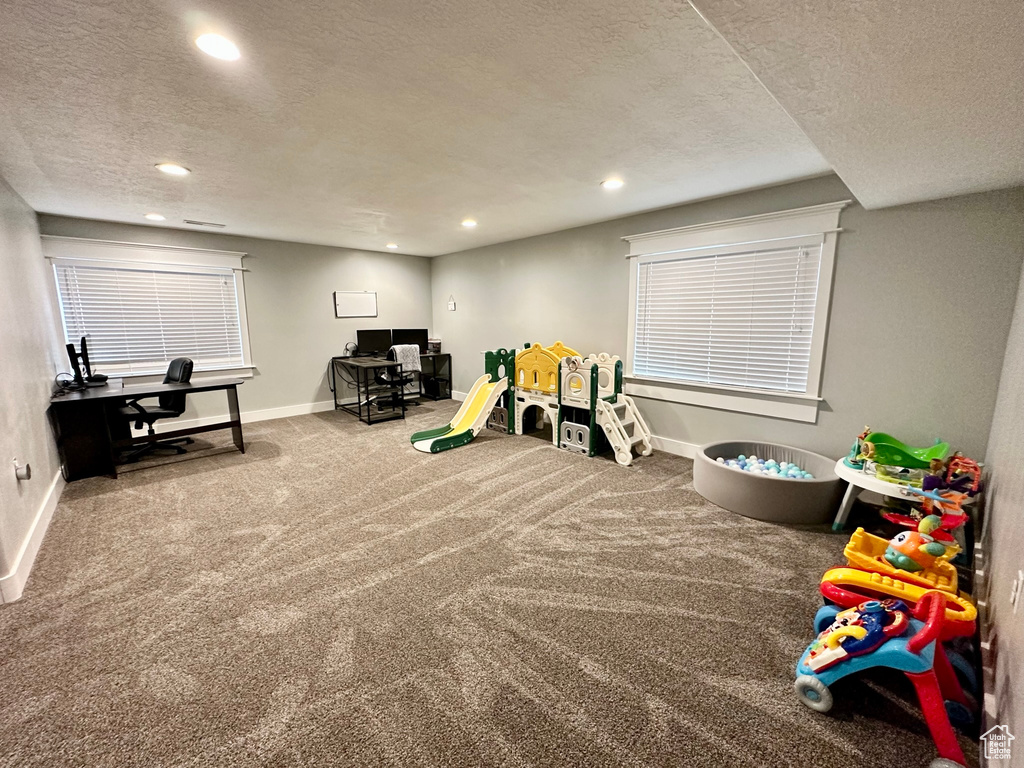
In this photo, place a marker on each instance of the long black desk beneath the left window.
(91, 432)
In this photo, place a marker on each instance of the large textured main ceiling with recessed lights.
(359, 123)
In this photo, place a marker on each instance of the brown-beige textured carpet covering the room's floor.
(334, 598)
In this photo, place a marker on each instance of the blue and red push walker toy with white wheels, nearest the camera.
(909, 645)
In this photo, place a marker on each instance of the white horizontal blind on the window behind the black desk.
(139, 318)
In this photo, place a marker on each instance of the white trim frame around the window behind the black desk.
(59, 249)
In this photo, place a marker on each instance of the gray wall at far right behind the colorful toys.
(1004, 538)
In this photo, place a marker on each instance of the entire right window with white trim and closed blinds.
(734, 315)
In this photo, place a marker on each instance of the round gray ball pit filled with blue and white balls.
(763, 497)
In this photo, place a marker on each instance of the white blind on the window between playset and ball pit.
(743, 318)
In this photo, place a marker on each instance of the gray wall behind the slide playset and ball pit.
(923, 301)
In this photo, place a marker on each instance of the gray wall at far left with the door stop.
(28, 345)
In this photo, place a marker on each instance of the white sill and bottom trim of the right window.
(793, 408)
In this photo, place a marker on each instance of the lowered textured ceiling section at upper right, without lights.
(909, 101)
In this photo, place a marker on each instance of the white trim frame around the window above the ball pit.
(815, 224)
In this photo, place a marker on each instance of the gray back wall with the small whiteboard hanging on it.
(292, 328)
